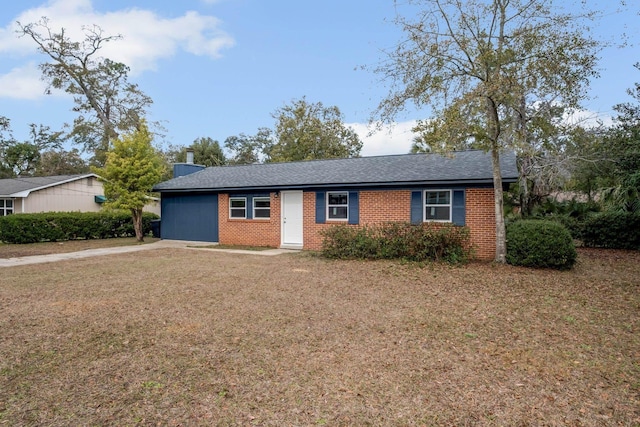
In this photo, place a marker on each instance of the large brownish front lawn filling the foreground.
(184, 337)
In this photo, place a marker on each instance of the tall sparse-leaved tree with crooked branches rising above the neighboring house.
(106, 102)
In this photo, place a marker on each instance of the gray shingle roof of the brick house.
(459, 168)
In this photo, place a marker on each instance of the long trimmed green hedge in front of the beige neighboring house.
(60, 226)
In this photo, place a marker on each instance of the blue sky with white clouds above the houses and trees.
(216, 68)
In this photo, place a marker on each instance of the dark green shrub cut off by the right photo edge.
(614, 230)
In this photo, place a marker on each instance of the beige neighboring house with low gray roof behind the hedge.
(62, 193)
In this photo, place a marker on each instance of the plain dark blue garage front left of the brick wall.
(189, 217)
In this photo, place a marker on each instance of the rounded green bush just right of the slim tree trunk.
(540, 244)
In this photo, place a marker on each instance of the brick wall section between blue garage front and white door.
(251, 232)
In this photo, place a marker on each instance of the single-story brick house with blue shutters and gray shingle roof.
(287, 204)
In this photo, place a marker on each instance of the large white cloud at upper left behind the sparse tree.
(147, 37)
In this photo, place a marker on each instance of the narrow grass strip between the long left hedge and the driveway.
(45, 248)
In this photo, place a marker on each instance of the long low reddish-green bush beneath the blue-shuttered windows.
(398, 240)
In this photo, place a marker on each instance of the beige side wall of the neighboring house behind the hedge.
(75, 196)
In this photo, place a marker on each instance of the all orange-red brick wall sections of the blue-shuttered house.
(374, 206)
